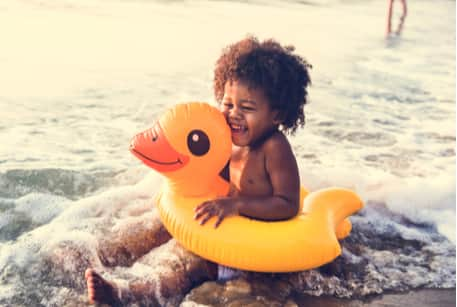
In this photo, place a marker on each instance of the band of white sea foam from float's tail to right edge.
(420, 199)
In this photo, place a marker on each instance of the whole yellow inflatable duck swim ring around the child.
(190, 145)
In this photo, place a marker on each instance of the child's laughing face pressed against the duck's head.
(248, 113)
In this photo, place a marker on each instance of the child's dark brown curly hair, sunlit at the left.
(280, 74)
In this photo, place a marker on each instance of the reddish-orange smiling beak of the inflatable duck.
(153, 149)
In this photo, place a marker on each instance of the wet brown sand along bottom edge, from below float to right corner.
(241, 292)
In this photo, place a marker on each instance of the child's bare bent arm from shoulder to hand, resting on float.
(282, 169)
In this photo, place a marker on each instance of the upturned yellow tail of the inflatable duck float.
(336, 204)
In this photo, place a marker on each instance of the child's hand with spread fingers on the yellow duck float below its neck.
(221, 208)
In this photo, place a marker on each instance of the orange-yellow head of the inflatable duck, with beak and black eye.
(189, 144)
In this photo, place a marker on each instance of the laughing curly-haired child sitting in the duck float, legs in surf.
(261, 88)
